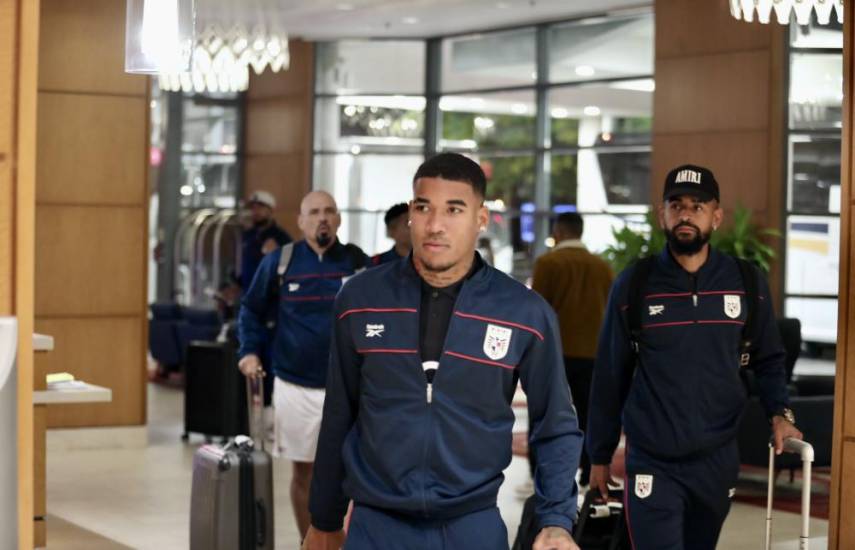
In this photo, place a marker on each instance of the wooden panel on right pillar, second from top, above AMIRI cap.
(712, 93)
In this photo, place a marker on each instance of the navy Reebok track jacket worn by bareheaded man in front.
(386, 444)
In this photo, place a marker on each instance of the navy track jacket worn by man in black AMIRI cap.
(686, 397)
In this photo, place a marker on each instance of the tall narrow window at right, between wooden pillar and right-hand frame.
(813, 182)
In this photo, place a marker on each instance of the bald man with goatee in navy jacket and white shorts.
(301, 293)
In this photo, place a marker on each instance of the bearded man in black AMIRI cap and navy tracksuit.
(680, 397)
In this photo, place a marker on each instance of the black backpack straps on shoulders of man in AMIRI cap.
(638, 282)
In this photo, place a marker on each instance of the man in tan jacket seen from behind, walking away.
(576, 284)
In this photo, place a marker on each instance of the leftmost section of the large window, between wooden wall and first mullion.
(369, 130)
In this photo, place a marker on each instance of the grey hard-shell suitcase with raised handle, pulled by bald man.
(231, 505)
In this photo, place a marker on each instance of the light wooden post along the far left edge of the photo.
(19, 32)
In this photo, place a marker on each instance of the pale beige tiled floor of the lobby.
(115, 499)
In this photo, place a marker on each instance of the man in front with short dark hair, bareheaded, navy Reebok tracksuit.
(426, 355)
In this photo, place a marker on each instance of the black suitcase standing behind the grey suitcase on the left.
(215, 404)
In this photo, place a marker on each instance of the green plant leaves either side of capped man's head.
(740, 238)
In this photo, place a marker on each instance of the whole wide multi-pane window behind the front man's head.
(558, 115)
